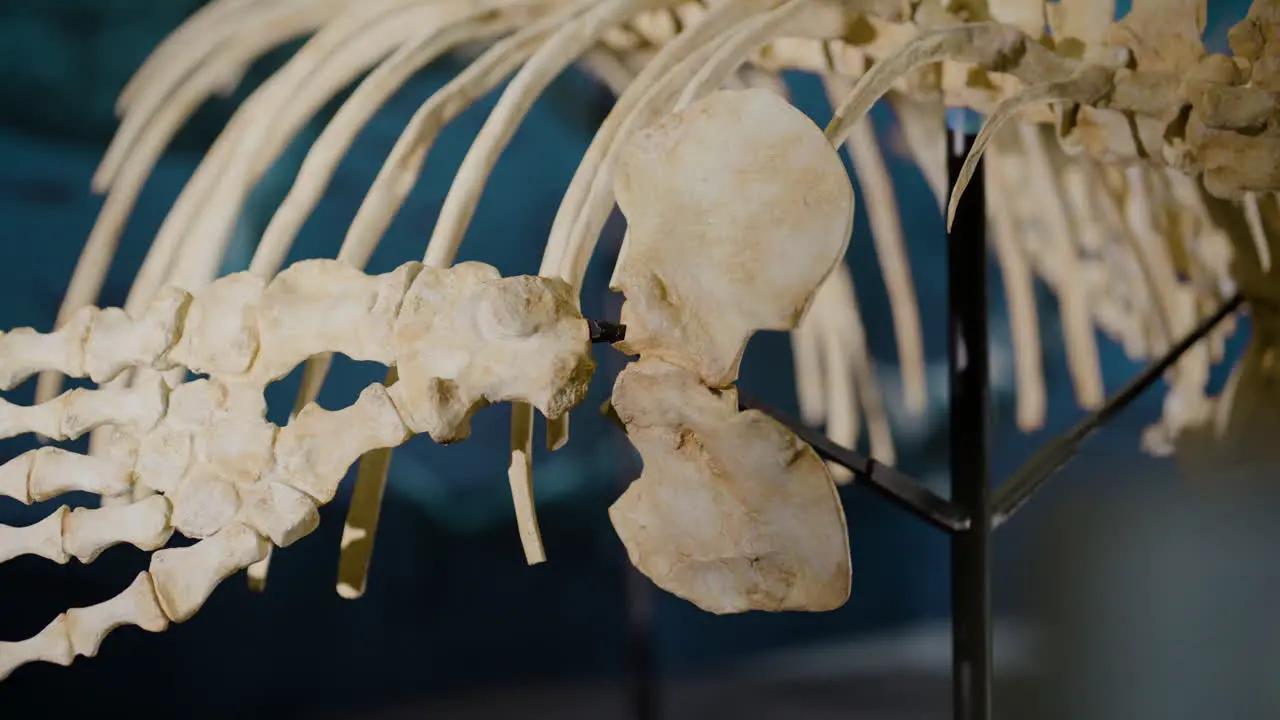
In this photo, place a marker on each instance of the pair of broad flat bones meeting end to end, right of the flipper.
(733, 512)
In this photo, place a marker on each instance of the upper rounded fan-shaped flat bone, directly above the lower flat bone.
(790, 190)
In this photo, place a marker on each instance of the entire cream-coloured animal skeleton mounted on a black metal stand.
(1154, 163)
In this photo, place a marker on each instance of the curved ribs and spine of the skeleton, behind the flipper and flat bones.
(1108, 244)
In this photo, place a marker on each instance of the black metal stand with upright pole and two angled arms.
(971, 514)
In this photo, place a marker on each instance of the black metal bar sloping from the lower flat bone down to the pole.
(897, 487)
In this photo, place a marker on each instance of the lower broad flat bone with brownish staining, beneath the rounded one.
(733, 512)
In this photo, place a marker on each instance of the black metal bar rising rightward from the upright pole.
(1050, 459)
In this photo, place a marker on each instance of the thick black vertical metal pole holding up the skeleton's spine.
(967, 372)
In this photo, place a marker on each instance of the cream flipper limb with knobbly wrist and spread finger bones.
(461, 339)
